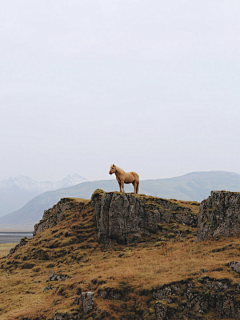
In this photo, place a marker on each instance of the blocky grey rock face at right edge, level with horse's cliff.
(219, 215)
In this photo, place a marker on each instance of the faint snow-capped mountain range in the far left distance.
(18, 190)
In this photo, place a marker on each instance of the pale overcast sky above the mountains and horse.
(152, 86)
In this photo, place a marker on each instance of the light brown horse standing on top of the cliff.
(125, 177)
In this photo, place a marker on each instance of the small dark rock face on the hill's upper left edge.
(53, 216)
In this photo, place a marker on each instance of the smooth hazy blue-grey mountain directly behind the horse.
(192, 186)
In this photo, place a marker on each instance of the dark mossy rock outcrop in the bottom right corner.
(195, 302)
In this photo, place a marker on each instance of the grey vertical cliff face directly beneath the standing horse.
(125, 217)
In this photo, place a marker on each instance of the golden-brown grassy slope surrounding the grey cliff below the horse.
(71, 248)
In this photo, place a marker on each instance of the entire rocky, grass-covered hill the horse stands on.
(70, 270)
